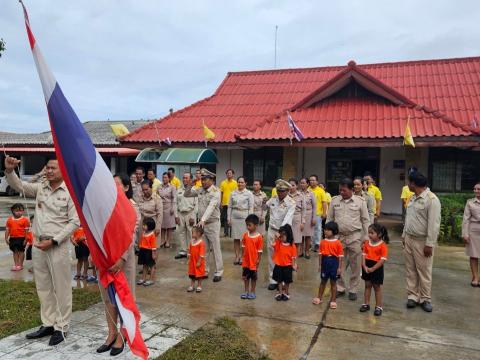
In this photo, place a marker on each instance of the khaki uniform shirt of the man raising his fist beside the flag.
(55, 213)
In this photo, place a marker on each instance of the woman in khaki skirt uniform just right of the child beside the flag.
(168, 194)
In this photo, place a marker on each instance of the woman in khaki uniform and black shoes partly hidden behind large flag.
(126, 263)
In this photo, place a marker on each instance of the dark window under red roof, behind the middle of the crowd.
(264, 164)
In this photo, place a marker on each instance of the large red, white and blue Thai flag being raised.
(105, 212)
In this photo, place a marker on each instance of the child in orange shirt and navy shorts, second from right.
(330, 261)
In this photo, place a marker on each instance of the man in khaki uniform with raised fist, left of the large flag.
(55, 219)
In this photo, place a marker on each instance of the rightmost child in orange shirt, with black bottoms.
(374, 256)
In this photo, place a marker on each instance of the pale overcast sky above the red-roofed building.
(125, 59)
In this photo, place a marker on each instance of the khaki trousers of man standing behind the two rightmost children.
(352, 251)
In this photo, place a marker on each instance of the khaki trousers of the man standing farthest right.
(418, 269)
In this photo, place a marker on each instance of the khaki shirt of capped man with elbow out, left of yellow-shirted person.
(208, 202)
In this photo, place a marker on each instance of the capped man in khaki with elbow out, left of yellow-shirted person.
(209, 215)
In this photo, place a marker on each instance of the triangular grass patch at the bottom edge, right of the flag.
(221, 340)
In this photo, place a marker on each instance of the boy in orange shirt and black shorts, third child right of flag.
(252, 248)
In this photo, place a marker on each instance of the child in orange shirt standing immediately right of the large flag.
(148, 252)
